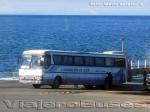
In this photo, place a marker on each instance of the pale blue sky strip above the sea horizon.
(75, 7)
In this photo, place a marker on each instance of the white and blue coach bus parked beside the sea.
(55, 68)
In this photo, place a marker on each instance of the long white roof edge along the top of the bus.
(41, 52)
